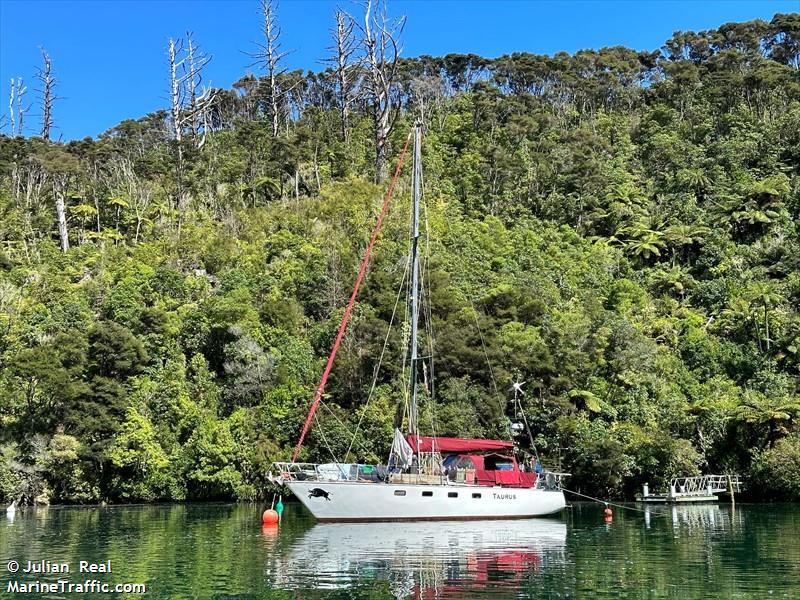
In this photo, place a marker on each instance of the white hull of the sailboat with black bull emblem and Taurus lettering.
(359, 501)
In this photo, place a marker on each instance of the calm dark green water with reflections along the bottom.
(222, 551)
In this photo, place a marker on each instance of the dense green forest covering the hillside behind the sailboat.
(616, 228)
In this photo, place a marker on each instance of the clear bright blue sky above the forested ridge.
(109, 55)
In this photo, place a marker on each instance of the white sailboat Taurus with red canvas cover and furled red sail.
(427, 477)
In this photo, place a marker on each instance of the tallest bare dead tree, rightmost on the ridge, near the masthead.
(380, 36)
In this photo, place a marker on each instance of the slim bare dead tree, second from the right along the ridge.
(346, 66)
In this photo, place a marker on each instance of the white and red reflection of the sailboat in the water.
(418, 559)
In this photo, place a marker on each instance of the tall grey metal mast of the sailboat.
(416, 187)
